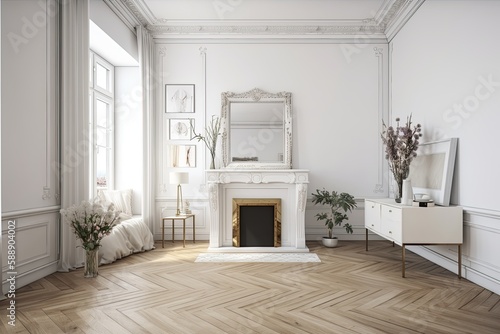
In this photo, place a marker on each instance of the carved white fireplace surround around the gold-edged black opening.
(289, 185)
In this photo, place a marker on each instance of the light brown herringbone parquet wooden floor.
(350, 291)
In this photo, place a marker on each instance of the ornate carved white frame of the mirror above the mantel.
(256, 96)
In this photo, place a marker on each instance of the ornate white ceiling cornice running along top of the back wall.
(369, 28)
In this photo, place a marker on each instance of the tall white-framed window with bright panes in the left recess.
(101, 122)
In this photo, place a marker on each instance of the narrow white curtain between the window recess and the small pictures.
(146, 63)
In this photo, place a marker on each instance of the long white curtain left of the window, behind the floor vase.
(75, 141)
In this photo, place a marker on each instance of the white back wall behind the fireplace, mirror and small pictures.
(338, 97)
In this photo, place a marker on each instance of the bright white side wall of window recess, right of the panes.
(128, 133)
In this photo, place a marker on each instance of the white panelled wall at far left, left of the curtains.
(30, 148)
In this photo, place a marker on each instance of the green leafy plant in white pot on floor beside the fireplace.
(339, 204)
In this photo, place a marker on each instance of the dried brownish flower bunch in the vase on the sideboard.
(401, 147)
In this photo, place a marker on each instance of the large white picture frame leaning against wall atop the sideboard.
(431, 171)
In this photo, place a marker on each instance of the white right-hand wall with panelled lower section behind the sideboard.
(445, 70)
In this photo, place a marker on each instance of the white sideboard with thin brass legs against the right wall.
(408, 225)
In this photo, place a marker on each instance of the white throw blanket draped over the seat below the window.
(128, 237)
